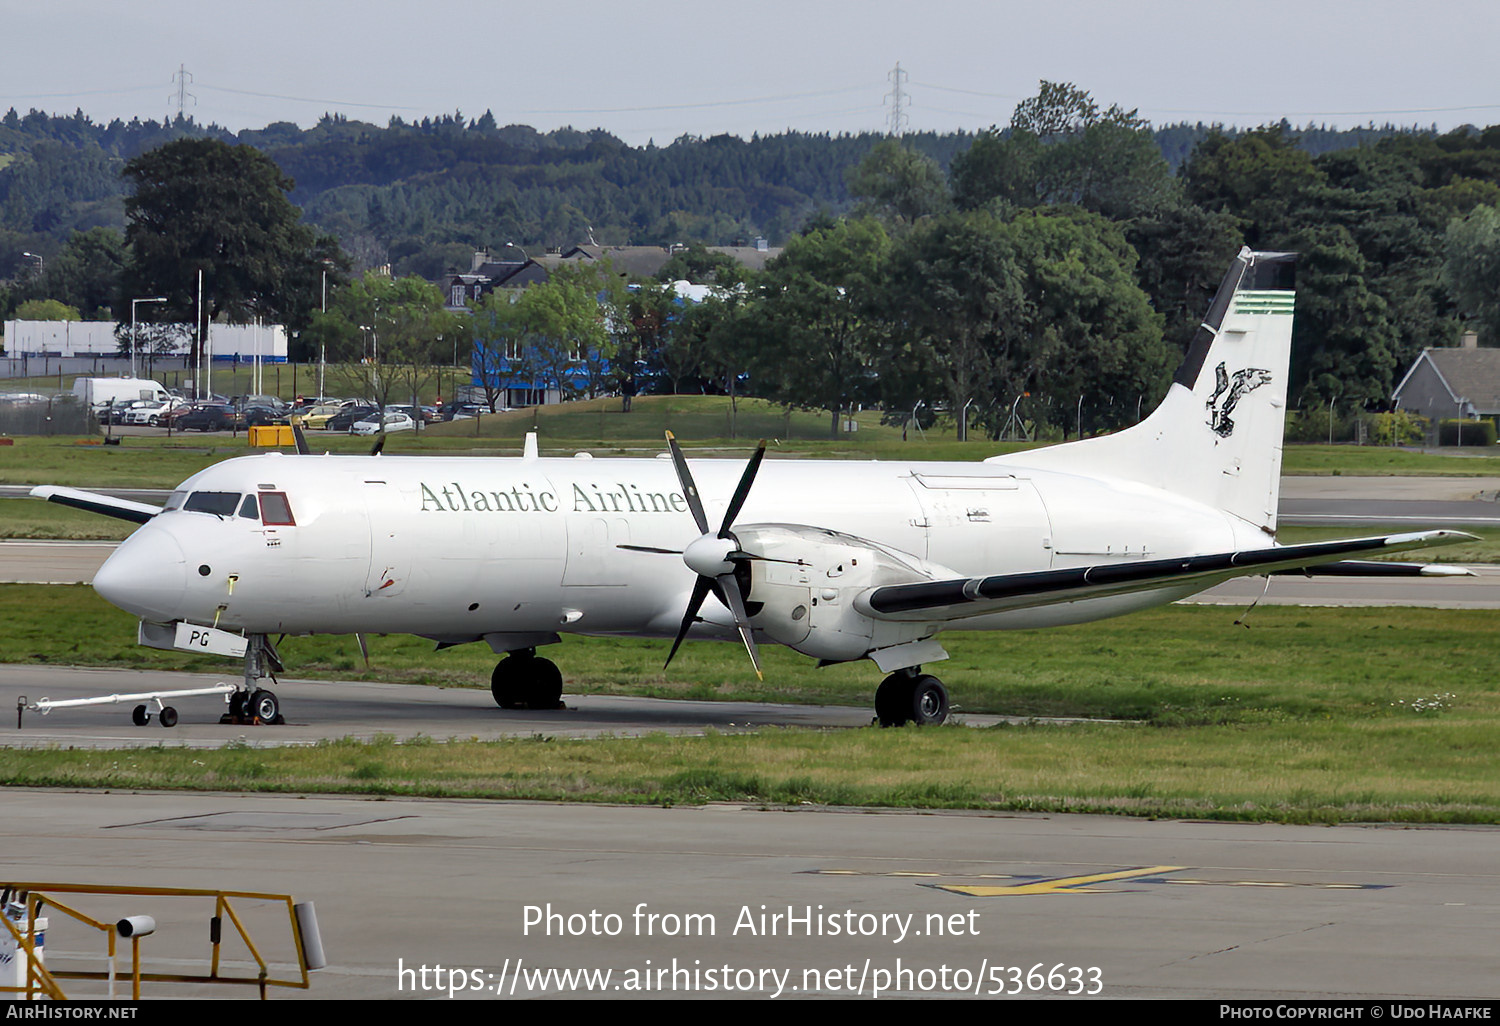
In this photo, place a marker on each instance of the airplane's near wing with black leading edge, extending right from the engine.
(977, 596)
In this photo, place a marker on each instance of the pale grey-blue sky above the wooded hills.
(658, 70)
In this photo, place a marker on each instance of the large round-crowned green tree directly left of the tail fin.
(1043, 305)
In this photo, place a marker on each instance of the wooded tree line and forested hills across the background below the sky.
(1055, 266)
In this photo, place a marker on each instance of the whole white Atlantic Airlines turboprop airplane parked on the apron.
(836, 560)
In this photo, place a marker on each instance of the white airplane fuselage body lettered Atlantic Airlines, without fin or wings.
(469, 548)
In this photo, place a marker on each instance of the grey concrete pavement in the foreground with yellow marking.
(1147, 910)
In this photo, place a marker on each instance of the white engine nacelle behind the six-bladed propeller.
(803, 592)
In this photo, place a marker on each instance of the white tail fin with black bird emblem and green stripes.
(1217, 436)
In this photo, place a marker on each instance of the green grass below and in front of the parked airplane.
(1310, 716)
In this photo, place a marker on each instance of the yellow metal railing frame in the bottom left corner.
(43, 983)
